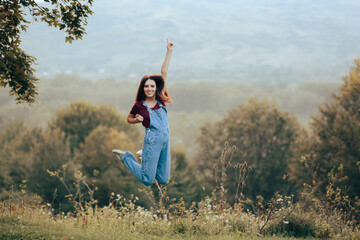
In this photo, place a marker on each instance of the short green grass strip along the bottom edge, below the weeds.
(47, 228)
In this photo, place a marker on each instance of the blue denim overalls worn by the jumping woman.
(155, 151)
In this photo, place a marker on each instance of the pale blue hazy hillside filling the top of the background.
(259, 41)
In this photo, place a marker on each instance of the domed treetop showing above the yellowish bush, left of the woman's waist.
(81, 117)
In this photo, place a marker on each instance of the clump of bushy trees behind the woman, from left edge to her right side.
(79, 140)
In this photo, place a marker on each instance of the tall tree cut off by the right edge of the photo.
(335, 139)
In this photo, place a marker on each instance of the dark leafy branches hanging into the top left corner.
(16, 69)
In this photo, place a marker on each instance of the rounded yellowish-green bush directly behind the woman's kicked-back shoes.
(100, 164)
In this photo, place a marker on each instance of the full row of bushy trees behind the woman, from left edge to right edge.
(272, 153)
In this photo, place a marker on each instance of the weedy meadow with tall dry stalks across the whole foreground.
(26, 216)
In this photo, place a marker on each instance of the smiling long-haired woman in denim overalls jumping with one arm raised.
(150, 110)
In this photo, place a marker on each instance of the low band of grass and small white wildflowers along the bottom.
(128, 221)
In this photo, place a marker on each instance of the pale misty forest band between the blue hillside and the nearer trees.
(194, 103)
